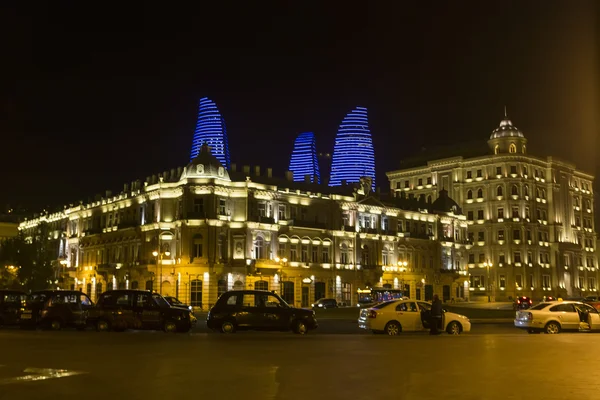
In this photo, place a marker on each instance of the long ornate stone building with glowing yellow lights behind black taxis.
(199, 231)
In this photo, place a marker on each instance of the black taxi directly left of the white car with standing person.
(258, 310)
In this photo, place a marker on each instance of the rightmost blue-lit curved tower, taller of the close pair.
(353, 154)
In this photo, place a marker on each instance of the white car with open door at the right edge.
(556, 316)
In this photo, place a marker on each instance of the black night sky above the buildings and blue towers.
(92, 98)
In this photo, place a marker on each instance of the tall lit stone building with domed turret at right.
(531, 219)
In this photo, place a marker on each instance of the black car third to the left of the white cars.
(55, 309)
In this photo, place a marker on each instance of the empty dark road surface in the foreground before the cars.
(155, 365)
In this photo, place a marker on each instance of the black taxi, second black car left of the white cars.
(138, 309)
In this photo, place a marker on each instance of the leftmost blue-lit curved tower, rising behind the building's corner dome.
(210, 129)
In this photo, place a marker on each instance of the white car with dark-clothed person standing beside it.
(395, 316)
